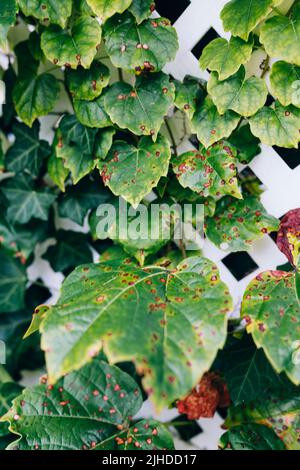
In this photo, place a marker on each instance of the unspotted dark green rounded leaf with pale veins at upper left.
(35, 96)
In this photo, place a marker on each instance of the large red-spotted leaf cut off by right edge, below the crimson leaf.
(272, 312)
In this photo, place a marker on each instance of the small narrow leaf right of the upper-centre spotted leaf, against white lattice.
(188, 94)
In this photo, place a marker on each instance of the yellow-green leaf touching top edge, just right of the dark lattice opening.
(240, 17)
